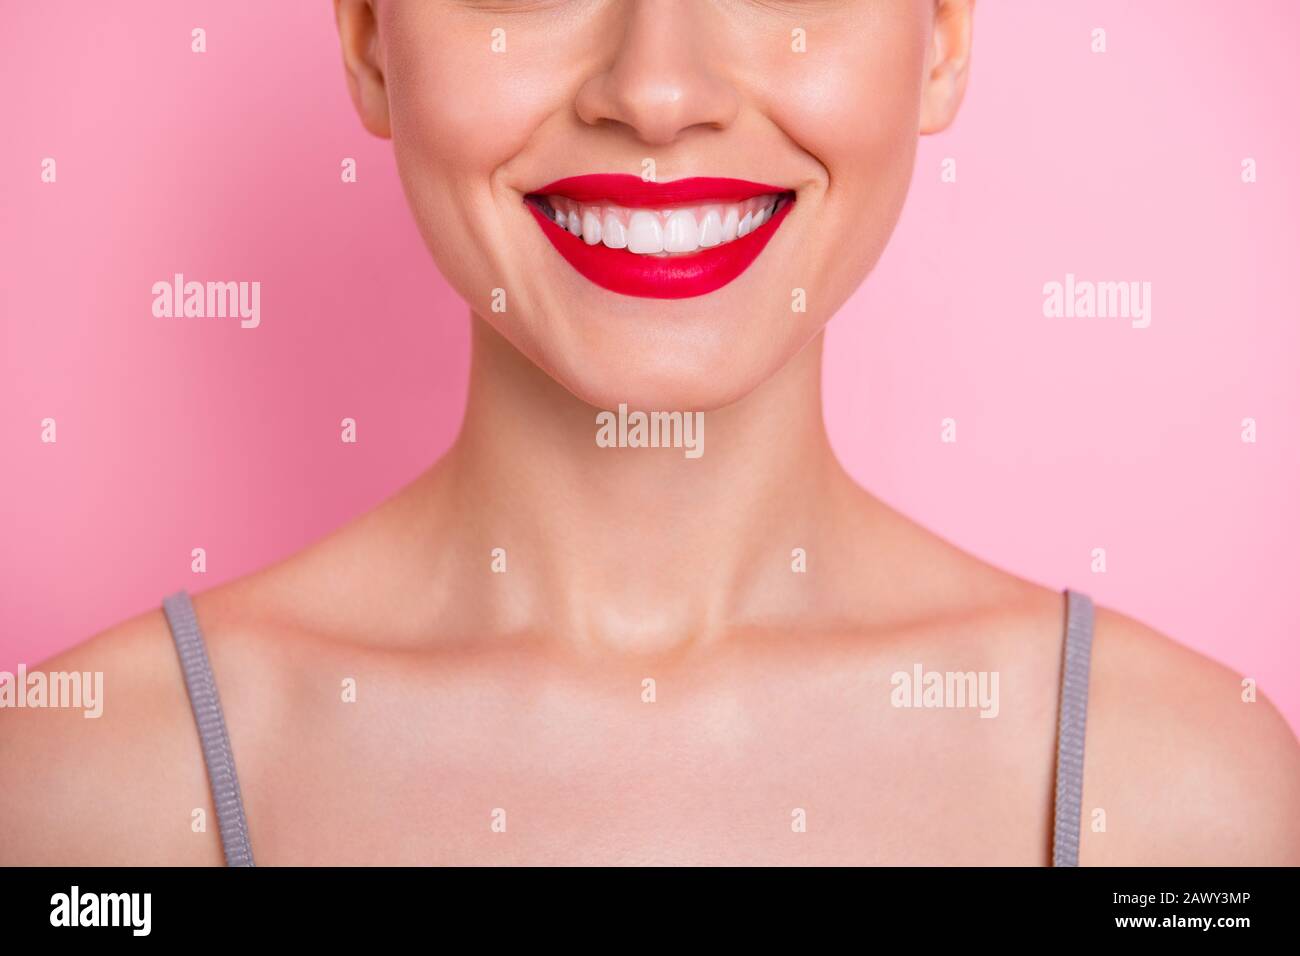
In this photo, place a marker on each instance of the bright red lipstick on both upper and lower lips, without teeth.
(675, 276)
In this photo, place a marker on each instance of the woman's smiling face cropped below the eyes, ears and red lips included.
(673, 296)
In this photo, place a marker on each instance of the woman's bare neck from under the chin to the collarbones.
(634, 548)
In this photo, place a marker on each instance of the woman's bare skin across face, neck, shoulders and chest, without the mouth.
(526, 691)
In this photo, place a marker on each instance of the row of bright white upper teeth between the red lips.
(662, 232)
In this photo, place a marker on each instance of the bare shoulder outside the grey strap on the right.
(1186, 763)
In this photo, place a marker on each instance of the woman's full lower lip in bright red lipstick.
(661, 278)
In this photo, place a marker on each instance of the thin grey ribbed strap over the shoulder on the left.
(213, 729)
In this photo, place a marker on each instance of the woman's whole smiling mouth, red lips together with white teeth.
(669, 241)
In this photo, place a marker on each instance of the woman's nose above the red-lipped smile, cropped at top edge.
(662, 80)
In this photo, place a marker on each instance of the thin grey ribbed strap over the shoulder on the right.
(1072, 728)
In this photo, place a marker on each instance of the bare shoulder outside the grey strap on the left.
(110, 789)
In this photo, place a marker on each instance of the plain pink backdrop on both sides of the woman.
(1072, 434)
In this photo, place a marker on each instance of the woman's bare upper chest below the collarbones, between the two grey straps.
(505, 772)
